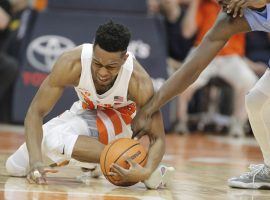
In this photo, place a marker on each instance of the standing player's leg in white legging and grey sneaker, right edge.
(258, 108)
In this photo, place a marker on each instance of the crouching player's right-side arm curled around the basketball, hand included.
(141, 83)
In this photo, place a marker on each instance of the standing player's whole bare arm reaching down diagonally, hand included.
(213, 42)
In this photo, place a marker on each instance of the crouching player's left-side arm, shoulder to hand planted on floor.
(63, 74)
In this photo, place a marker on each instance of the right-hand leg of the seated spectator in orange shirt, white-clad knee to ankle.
(238, 74)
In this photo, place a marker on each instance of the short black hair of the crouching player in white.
(112, 37)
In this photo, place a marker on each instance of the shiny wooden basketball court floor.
(203, 165)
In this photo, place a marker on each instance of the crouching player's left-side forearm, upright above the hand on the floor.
(33, 136)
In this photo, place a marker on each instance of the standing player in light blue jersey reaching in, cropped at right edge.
(256, 18)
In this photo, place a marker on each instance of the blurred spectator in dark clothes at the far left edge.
(8, 65)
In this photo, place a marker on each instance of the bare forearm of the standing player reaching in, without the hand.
(188, 73)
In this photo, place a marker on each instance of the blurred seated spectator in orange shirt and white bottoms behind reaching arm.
(228, 65)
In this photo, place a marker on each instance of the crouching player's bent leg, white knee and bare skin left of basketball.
(76, 138)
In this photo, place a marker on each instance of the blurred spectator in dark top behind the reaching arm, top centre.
(178, 15)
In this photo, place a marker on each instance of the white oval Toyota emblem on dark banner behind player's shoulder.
(43, 51)
